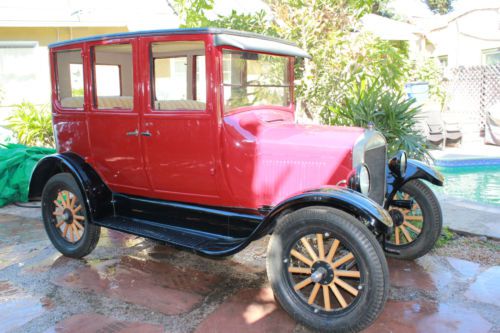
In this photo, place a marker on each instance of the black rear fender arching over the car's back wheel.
(98, 197)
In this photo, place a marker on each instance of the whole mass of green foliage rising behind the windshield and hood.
(336, 85)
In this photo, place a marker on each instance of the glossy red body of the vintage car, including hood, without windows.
(250, 157)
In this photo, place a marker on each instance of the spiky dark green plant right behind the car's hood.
(391, 112)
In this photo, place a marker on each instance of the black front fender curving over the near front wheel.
(363, 208)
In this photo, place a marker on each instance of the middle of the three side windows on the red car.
(113, 77)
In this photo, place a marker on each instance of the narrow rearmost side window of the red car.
(69, 79)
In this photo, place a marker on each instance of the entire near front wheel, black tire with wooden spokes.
(327, 270)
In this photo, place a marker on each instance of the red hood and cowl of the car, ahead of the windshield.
(281, 158)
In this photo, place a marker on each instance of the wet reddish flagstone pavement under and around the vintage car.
(129, 284)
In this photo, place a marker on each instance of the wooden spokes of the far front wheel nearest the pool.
(407, 222)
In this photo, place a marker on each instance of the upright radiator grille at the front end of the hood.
(375, 160)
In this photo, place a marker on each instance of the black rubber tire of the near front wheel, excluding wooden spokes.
(370, 261)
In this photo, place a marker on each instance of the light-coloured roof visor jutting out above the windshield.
(259, 45)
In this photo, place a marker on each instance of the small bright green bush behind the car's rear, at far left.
(31, 125)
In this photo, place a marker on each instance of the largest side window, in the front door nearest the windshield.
(178, 76)
